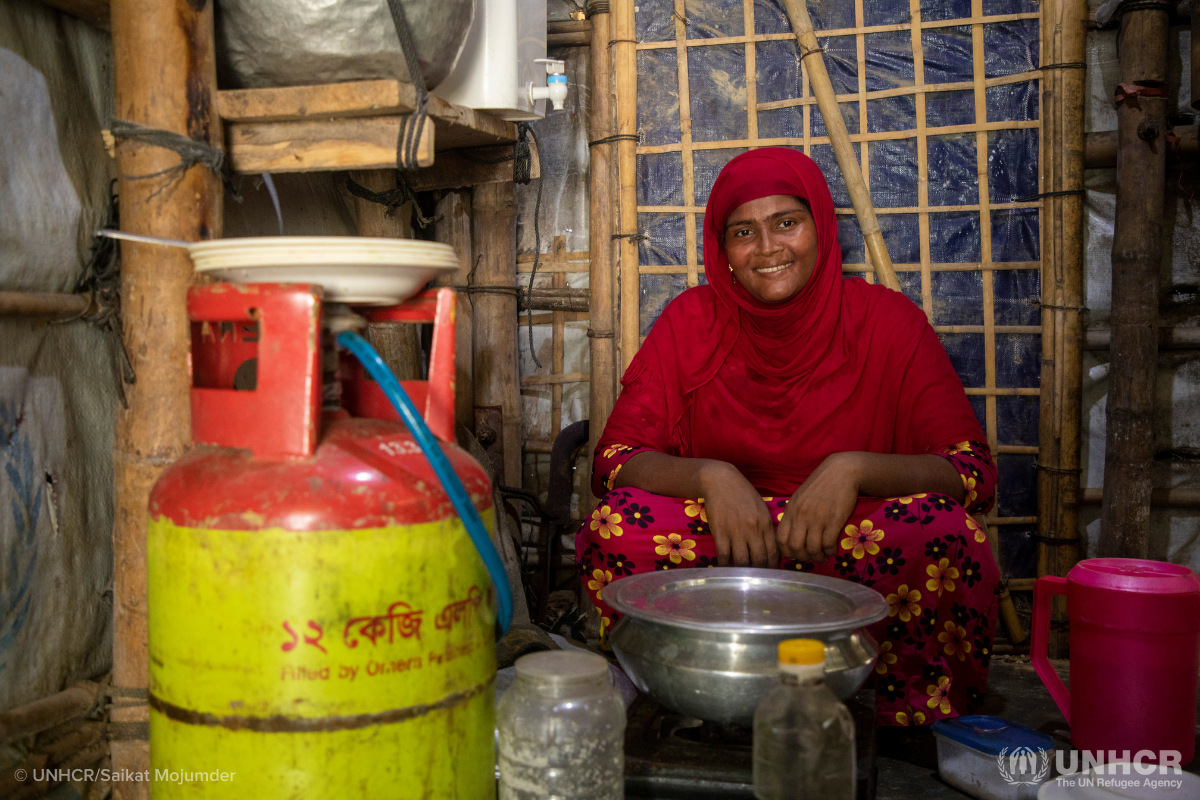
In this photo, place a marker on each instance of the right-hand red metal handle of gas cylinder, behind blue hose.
(435, 306)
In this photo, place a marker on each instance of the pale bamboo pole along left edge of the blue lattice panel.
(626, 67)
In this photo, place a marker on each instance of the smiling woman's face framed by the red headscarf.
(772, 246)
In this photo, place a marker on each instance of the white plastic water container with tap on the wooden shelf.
(500, 61)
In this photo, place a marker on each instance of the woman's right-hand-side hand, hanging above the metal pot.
(819, 510)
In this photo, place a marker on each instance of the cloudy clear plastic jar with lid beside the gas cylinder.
(562, 730)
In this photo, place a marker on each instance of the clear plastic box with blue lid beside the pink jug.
(992, 759)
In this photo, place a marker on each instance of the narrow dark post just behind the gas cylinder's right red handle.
(453, 227)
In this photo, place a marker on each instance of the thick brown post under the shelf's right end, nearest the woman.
(497, 384)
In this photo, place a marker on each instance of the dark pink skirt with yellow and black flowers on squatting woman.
(923, 554)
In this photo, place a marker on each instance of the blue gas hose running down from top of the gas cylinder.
(433, 450)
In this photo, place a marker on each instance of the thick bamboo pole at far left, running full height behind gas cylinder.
(165, 77)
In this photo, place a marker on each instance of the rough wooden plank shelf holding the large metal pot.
(341, 127)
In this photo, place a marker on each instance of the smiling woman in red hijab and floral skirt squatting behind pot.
(787, 417)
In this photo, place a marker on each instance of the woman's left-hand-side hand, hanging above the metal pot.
(737, 518)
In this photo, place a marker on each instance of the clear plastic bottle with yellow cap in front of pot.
(803, 736)
